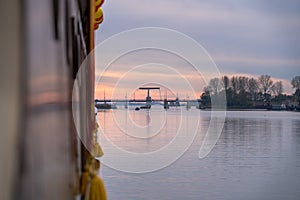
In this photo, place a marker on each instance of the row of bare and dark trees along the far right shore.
(249, 92)
